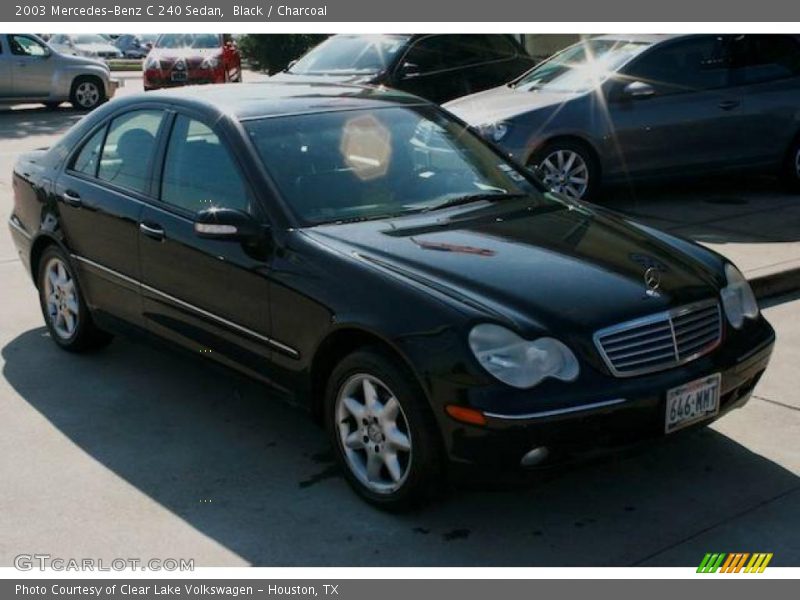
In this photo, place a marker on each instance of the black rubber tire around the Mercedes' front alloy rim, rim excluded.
(426, 470)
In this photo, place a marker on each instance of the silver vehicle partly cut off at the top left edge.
(32, 71)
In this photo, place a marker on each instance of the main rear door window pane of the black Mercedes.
(128, 151)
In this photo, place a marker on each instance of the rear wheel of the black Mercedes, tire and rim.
(59, 297)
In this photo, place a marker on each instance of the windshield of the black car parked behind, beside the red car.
(351, 54)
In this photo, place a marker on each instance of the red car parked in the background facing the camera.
(190, 58)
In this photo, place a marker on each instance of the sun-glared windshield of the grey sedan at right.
(581, 67)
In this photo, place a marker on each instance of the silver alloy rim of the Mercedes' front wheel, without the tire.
(373, 433)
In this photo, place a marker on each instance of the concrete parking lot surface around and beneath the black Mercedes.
(141, 452)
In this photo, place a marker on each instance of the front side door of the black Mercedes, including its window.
(211, 296)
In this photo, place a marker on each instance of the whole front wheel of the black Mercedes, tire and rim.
(404, 435)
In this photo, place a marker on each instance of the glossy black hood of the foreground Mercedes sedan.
(545, 265)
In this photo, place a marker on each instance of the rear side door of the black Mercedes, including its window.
(101, 193)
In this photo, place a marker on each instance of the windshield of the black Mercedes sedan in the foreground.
(377, 163)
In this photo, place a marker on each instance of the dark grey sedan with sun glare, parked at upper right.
(618, 108)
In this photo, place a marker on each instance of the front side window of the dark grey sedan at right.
(689, 65)
